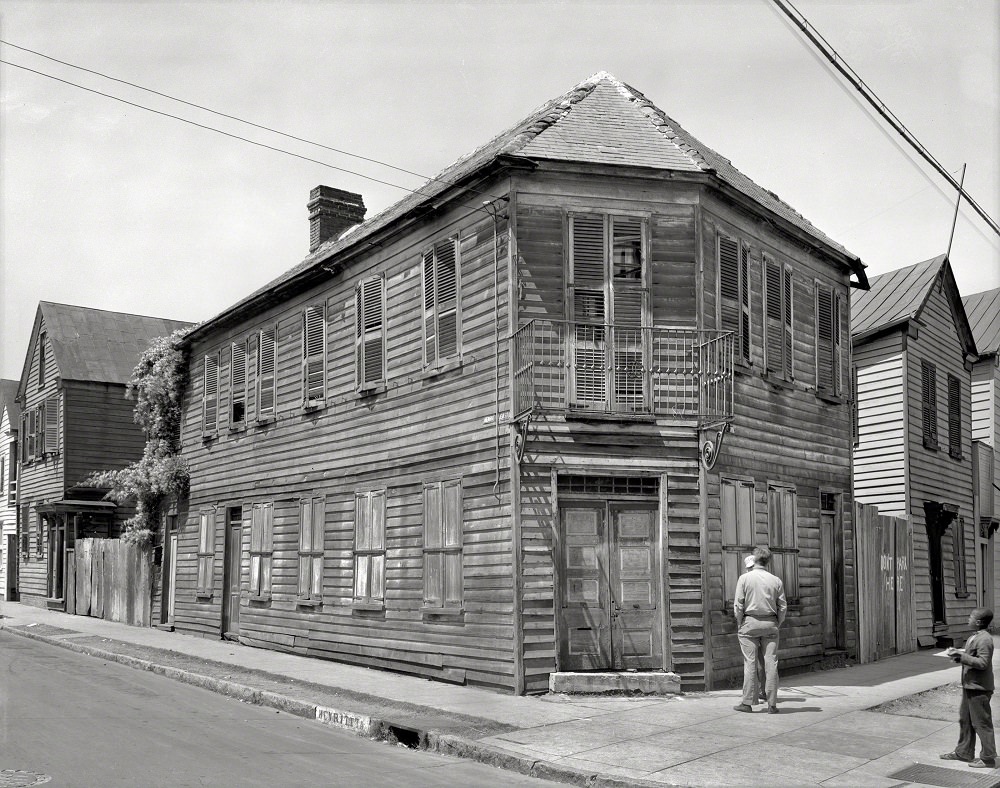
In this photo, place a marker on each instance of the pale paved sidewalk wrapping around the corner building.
(823, 735)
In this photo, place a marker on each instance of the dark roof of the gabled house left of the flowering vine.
(100, 346)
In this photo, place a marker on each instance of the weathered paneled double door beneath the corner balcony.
(611, 616)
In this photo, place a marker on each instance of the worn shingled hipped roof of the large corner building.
(602, 120)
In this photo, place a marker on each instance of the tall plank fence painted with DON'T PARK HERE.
(884, 568)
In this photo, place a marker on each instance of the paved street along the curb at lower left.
(88, 722)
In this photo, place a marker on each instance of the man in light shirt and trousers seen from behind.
(760, 609)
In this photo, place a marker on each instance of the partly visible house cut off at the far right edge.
(983, 310)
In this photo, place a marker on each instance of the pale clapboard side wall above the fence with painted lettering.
(880, 457)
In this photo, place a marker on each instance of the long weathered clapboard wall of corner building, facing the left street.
(425, 426)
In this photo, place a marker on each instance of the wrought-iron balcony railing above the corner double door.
(665, 372)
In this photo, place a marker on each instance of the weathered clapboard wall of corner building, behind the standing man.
(805, 441)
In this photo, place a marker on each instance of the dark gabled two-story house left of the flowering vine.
(75, 420)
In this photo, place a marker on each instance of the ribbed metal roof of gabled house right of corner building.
(893, 297)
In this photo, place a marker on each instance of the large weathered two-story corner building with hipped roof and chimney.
(482, 437)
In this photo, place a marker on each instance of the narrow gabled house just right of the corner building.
(913, 354)
